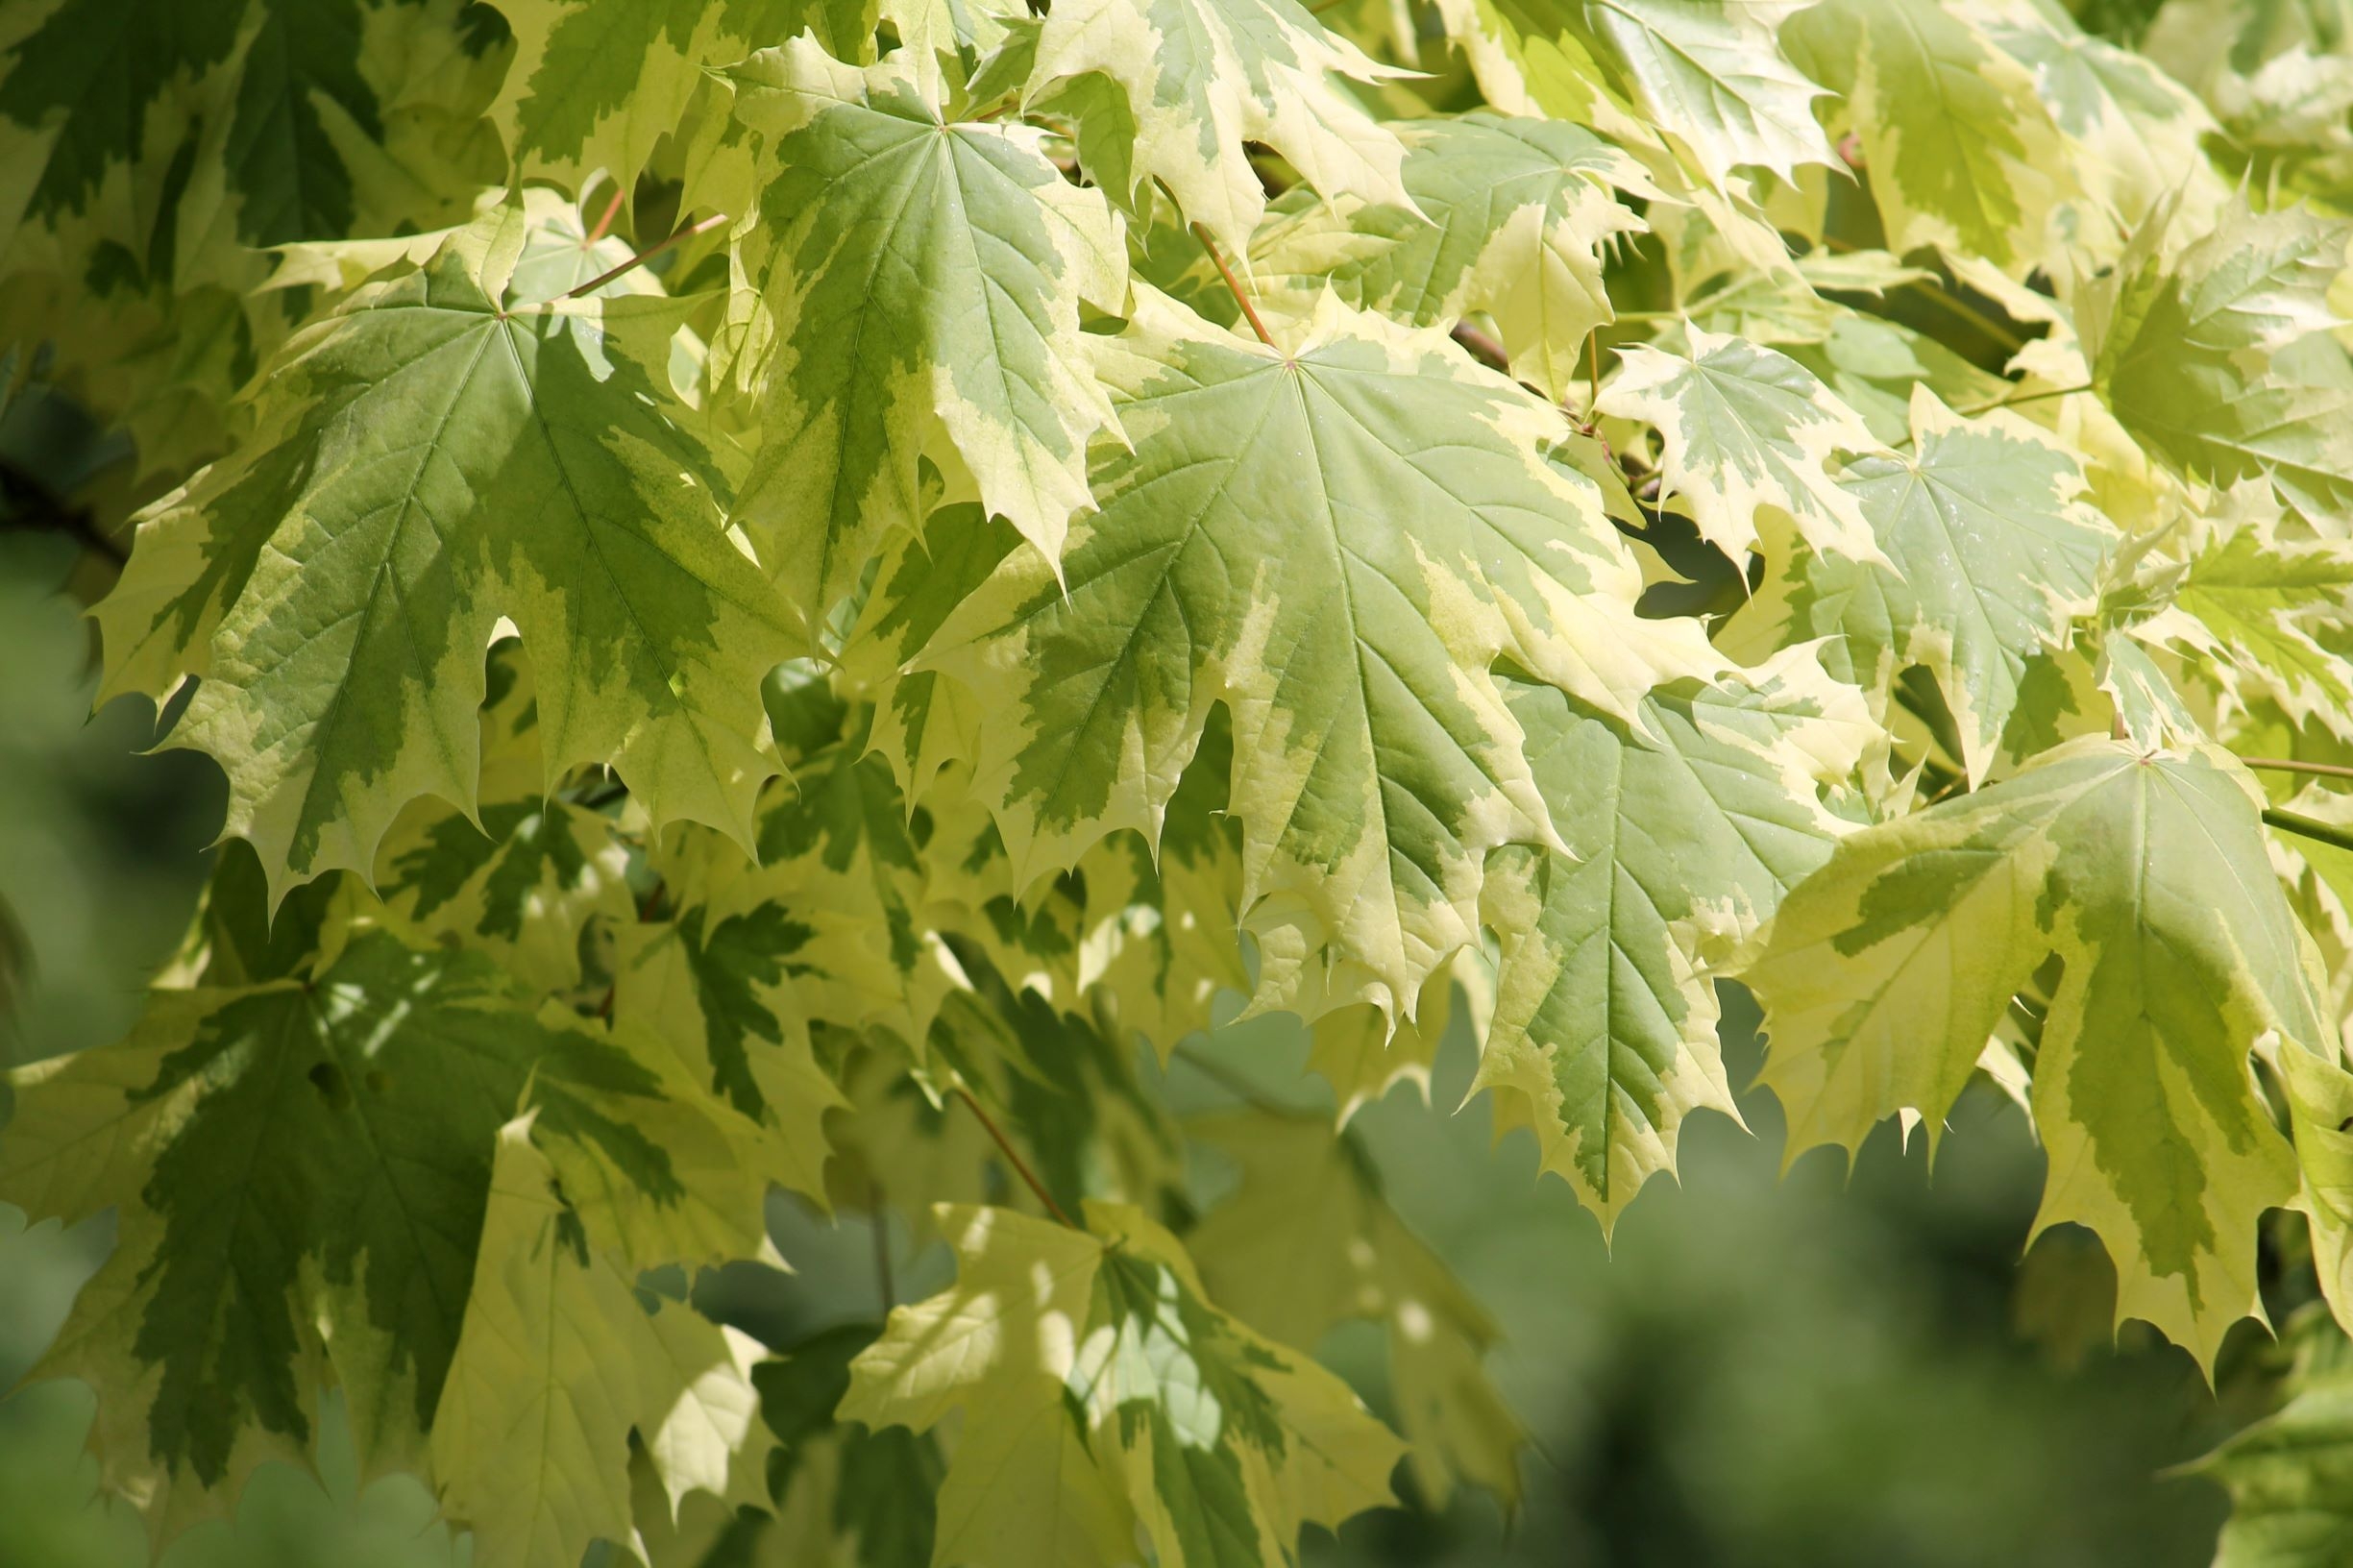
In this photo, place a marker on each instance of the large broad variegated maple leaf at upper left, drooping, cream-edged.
(425, 465)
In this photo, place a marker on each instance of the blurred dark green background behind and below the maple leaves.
(1764, 1371)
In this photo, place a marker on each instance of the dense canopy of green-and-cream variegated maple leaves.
(782, 585)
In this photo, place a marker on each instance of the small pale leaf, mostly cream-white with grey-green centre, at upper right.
(1747, 427)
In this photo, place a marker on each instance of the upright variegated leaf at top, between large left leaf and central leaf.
(926, 284)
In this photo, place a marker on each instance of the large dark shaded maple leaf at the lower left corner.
(302, 1174)
